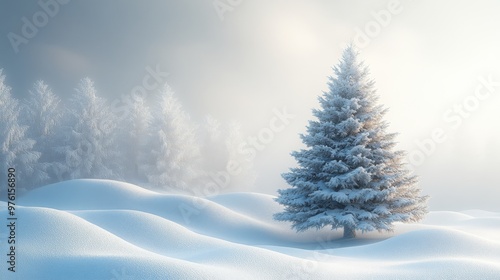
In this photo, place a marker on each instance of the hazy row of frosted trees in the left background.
(156, 143)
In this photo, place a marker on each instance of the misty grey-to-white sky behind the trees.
(436, 66)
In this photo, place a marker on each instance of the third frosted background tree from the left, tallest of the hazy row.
(89, 147)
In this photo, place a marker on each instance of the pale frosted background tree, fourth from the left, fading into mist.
(175, 153)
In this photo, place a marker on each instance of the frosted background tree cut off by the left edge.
(16, 149)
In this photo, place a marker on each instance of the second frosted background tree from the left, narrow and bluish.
(43, 115)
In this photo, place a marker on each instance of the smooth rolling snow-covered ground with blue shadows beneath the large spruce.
(101, 229)
